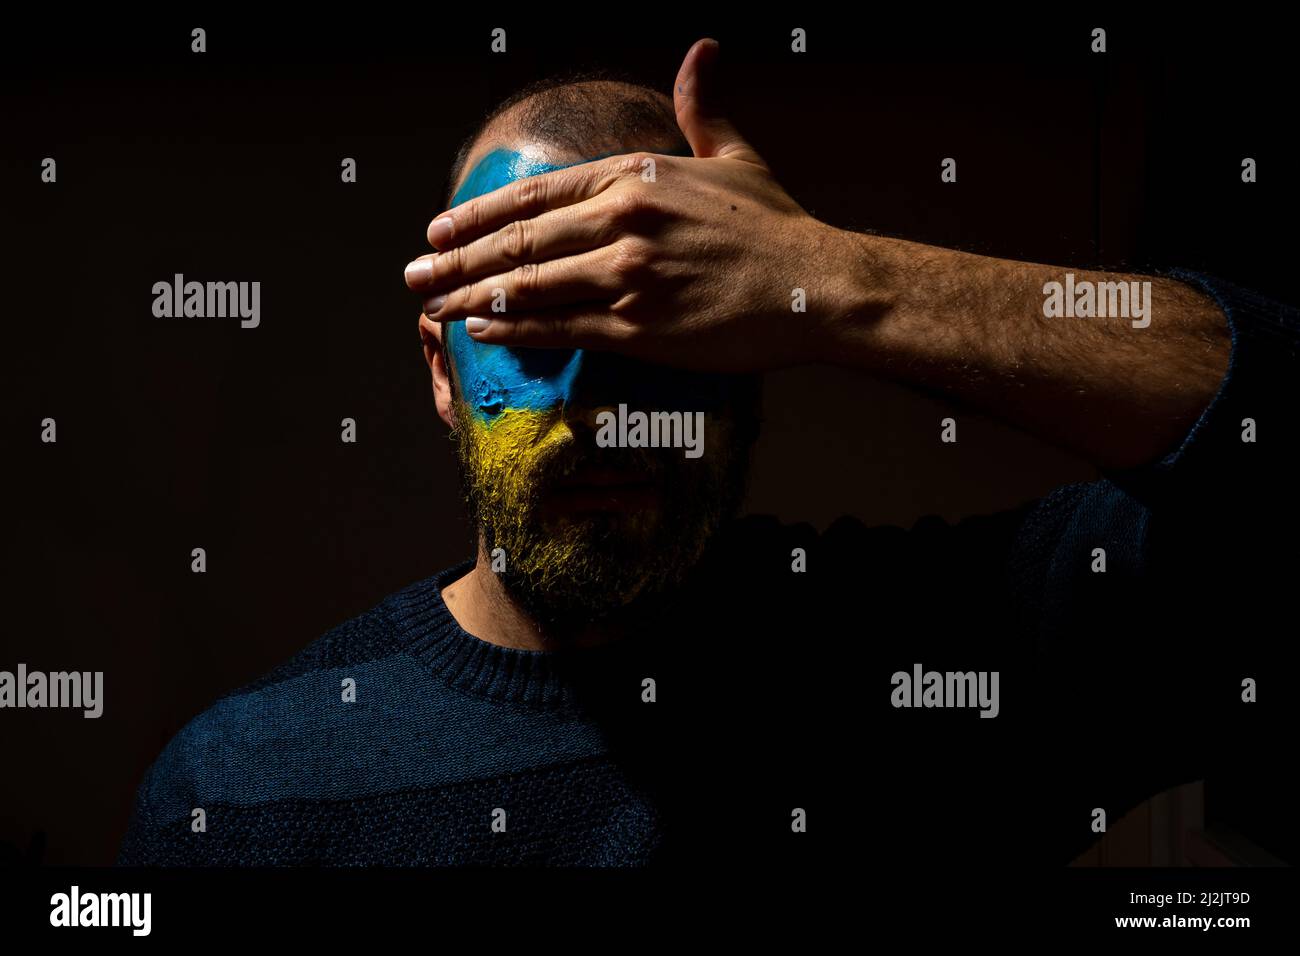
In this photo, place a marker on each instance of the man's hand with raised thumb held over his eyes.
(691, 262)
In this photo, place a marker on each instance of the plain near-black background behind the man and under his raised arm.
(176, 434)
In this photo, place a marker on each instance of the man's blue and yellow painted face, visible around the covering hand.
(586, 530)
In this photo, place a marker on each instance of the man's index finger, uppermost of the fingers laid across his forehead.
(532, 196)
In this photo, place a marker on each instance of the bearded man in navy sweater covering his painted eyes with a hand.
(622, 672)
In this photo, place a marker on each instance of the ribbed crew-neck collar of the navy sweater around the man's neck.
(426, 628)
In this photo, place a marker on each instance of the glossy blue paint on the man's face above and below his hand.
(496, 378)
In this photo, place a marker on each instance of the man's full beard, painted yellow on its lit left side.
(571, 569)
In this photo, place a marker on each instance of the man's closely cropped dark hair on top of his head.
(583, 113)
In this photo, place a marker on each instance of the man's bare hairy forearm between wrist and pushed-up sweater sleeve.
(976, 330)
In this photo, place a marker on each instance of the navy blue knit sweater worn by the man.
(773, 689)
